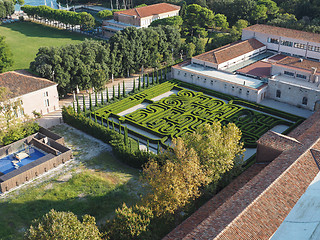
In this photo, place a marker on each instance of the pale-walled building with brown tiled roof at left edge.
(36, 94)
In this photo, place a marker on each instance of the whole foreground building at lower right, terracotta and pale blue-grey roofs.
(256, 203)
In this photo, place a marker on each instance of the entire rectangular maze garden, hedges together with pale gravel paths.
(181, 110)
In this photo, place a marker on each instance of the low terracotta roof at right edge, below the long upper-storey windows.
(294, 62)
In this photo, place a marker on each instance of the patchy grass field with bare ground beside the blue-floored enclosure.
(96, 184)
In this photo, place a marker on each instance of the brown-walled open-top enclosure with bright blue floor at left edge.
(30, 157)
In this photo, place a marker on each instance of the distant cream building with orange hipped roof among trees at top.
(138, 17)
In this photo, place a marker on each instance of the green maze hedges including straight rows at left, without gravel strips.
(179, 114)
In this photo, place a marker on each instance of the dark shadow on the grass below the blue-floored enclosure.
(16, 218)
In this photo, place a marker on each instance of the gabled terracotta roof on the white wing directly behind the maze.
(230, 51)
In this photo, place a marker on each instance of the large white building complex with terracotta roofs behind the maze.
(269, 62)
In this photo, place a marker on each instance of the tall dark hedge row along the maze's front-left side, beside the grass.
(126, 152)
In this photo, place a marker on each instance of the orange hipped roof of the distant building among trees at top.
(151, 10)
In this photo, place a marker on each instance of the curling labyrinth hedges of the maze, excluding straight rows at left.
(179, 114)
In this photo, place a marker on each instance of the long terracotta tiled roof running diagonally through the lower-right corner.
(258, 208)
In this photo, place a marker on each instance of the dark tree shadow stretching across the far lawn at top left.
(38, 30)
